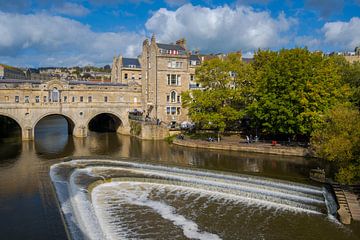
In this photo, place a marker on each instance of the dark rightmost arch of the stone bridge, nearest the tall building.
(106, 121)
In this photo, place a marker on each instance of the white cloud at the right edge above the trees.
(345, 35)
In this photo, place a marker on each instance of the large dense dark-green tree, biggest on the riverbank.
(292, 90)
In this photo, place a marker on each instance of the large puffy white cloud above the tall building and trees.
(222, 28)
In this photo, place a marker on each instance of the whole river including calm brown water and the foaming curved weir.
(166, 192)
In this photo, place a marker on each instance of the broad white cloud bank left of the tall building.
(54, 40)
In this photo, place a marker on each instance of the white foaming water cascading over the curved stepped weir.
(80, 211)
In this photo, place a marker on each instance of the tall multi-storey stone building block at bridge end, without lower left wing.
(167, 70)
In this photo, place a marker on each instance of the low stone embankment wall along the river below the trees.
(232, 143)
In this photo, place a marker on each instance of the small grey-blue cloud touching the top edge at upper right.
(325, 7)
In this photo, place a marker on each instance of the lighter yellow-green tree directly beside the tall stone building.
(221, 103)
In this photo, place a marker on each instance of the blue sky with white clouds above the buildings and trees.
(40, 33)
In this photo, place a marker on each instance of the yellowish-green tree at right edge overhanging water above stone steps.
(338, 140)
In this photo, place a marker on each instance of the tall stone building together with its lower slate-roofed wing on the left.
(164, 71)
